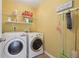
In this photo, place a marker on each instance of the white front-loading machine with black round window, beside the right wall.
(35, 44)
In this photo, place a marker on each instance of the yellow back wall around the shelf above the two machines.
(8, 8)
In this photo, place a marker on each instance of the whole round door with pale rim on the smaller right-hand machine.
(36, 44)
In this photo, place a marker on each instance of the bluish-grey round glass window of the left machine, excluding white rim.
(15, 47)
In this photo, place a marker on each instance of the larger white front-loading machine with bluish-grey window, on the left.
(14, 45)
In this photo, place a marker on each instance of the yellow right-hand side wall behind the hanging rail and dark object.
(47, 22)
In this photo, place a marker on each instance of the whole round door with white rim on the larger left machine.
(14, 47)
